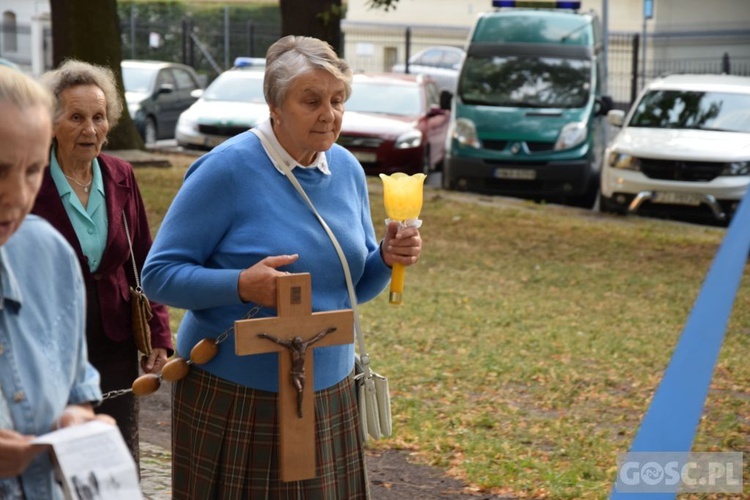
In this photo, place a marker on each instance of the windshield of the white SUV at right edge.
(721, 111)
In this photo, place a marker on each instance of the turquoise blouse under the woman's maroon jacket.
(90, 223)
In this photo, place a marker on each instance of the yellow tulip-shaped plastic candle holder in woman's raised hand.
(402, 195)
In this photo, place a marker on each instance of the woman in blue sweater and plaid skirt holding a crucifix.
(238, 223)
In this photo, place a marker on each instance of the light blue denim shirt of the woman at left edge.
(43, 359)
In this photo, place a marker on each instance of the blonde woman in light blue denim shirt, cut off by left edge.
(46, 381)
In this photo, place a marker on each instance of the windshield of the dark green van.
(533, 82)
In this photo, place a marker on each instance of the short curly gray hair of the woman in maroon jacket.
(73, 73)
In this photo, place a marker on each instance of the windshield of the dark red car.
(367, 97)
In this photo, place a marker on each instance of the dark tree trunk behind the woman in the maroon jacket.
(90, 31)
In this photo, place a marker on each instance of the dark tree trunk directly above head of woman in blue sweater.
(317, 18)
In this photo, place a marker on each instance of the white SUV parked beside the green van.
(683, 150)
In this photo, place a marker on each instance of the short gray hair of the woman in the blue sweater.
(293, 56)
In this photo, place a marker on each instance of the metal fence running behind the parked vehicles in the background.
(211, 47)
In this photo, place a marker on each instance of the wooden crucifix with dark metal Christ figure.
(293, 334)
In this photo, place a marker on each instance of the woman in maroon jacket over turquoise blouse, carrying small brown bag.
(84, 194)
